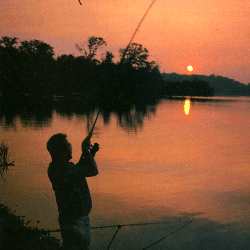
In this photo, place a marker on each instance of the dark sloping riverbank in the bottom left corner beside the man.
(14, 234)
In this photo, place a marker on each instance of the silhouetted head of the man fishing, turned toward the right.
(59, 148)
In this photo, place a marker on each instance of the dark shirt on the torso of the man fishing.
(71, 190)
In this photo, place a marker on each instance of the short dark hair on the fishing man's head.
(57, 144)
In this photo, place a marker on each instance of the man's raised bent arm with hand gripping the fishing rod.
(87, 162)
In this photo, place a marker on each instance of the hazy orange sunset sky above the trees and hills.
(213, 35)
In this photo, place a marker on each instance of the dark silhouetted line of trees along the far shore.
(30, 67)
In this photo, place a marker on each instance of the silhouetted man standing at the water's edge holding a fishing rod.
(71, 189)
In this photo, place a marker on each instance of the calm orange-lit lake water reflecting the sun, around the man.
(178, 159)
